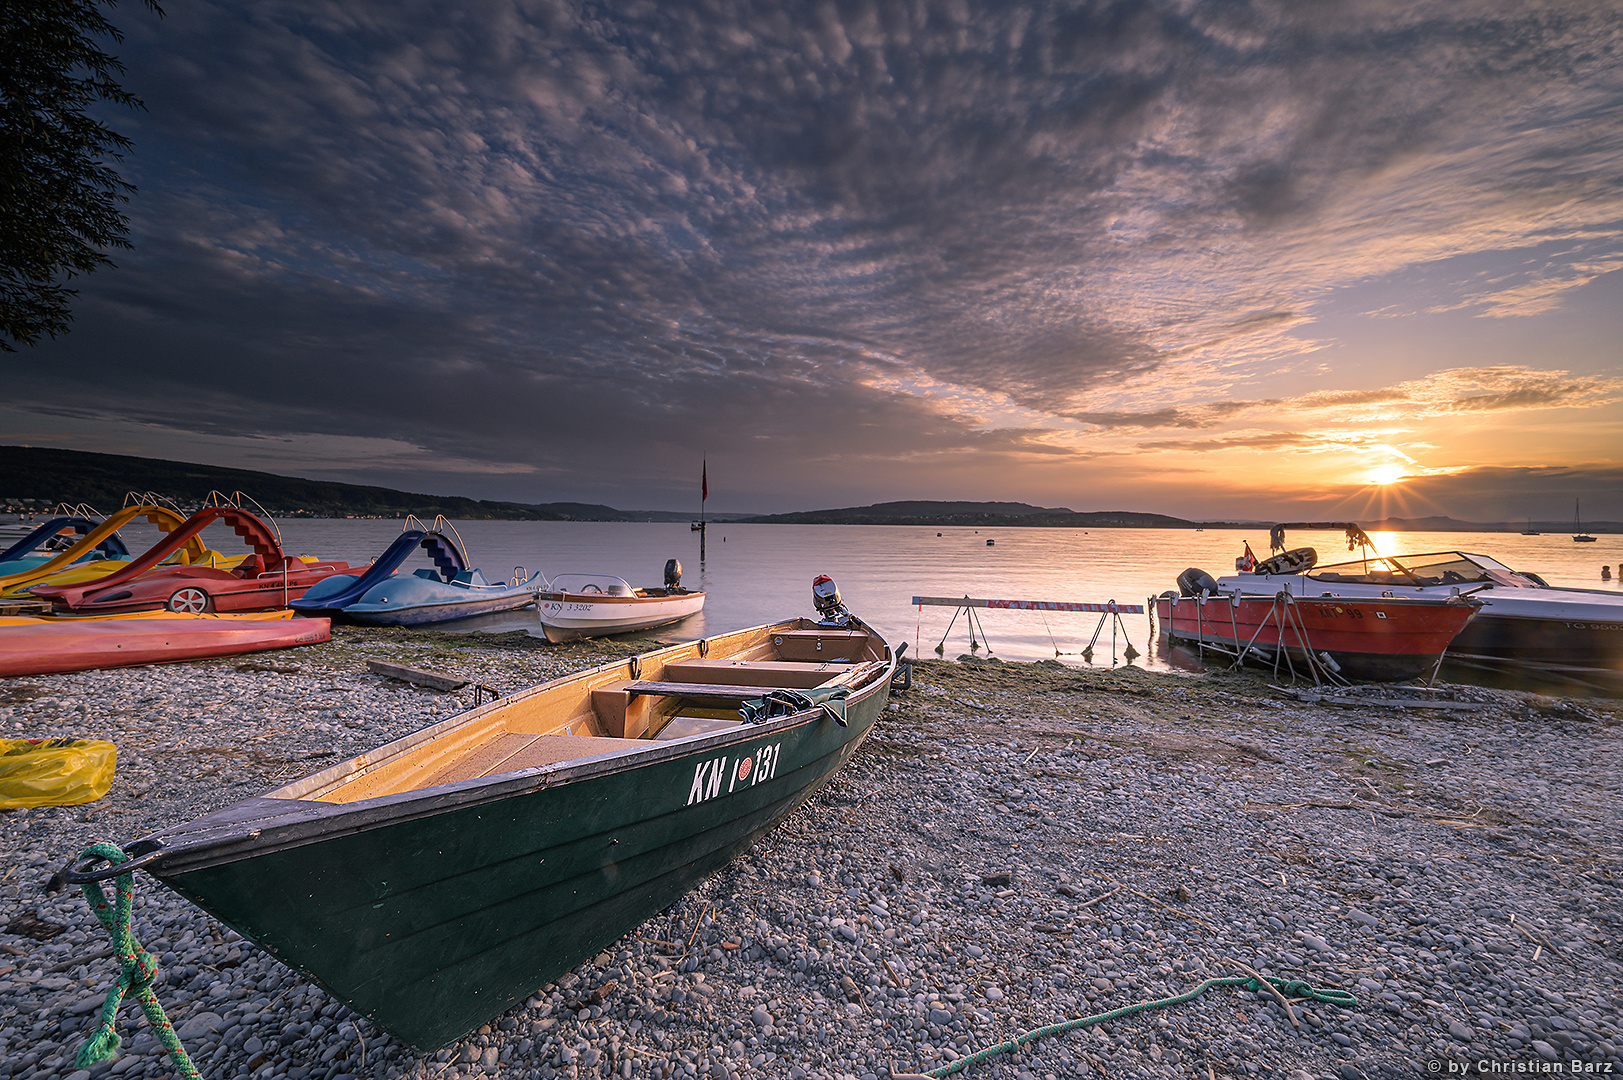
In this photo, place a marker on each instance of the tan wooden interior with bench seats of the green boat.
(676, 693)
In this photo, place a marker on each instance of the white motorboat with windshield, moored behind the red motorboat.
(1525, 624)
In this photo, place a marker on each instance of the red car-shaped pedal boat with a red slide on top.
(265, 581)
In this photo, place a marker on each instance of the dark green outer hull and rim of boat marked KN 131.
(436, 910)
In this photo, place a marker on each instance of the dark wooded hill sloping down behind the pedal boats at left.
(103, 480)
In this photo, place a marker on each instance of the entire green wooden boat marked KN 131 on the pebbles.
(439, 879)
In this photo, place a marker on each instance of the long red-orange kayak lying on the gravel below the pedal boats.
(50, 646)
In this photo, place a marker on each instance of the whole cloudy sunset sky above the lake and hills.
(1225, 259)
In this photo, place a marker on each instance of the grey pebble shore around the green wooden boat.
(1017, 845)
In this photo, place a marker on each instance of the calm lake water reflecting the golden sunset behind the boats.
(764, 572)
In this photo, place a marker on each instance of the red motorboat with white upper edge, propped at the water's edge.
(1384, 639)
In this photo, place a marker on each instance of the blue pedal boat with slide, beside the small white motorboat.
(449, 590)
